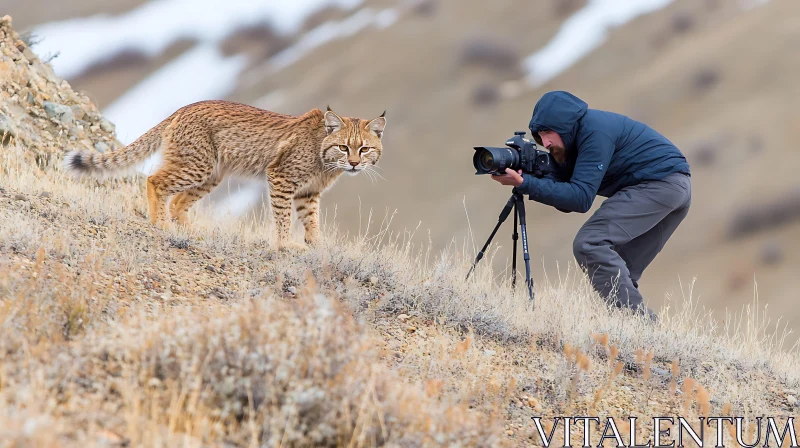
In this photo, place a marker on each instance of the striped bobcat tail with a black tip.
(118, 162)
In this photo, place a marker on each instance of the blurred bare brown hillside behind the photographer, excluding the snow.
(449, 83)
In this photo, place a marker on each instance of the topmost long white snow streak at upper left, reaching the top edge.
(152, 27)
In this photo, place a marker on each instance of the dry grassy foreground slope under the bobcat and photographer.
(115, 333)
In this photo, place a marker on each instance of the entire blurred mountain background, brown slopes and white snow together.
(717, 77)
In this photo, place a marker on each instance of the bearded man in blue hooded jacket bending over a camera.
(644, 176)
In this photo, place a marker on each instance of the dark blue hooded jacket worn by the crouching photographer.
(605, 151)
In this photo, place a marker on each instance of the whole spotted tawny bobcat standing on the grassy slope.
(199, 144)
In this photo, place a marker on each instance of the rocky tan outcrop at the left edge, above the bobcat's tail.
(41, 112)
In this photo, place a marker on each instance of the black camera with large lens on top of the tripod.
(519, 153)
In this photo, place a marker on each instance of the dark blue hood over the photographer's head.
(558, 111)
